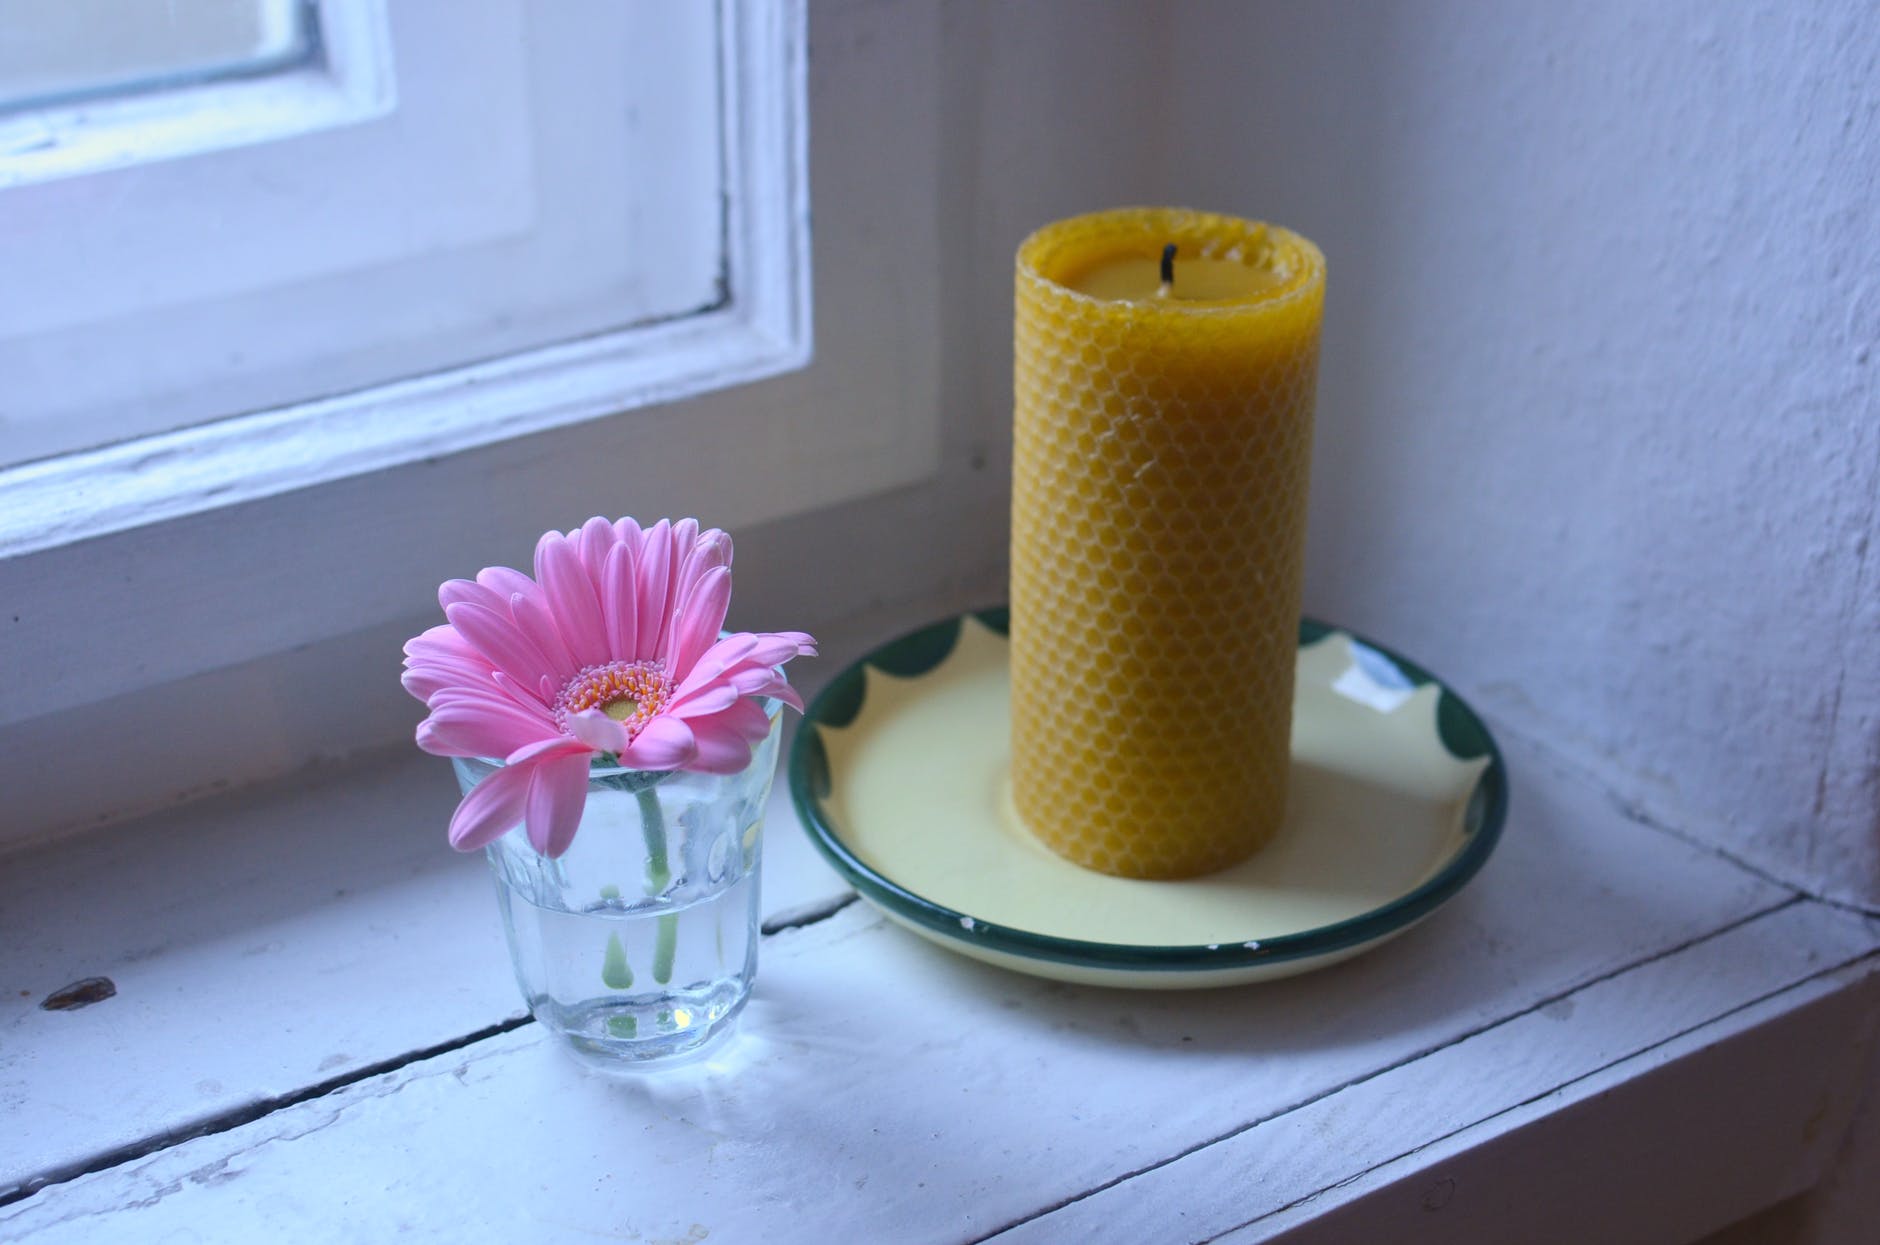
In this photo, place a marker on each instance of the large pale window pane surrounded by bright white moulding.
(509, 204)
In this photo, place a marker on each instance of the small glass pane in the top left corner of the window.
(55, 52)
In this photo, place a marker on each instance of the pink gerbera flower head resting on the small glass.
(612, 652)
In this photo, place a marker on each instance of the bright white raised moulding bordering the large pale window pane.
(757, 326)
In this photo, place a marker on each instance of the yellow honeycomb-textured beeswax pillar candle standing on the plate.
(1163, 435)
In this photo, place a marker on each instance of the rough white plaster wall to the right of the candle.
(1599, 426)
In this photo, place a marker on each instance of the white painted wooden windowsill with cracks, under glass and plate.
(311, 977)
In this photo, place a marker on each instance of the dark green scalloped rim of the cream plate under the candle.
(920, 650)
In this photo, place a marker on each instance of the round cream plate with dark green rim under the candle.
(901, 774)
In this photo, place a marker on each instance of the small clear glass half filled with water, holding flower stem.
(640, 943)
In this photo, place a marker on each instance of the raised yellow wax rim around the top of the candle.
(1067, 249)
